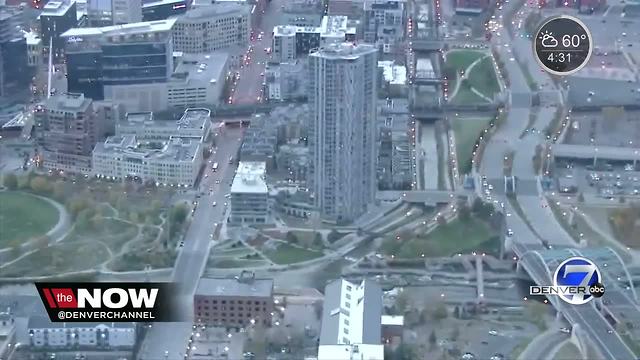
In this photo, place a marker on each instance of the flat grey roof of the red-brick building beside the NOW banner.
(242, 285)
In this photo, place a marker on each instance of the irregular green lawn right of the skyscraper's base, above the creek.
(447, 240)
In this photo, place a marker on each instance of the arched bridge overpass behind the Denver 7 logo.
(540, 264)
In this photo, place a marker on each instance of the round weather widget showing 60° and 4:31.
(562, 45)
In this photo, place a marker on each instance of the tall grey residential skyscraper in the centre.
(342, 94)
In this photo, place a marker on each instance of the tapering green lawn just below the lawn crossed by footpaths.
(466, 131)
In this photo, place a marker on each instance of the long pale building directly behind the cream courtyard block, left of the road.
(194, 123)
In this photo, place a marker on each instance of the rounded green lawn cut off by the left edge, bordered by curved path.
(24, 216)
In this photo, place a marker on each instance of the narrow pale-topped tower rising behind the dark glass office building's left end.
(57, 17)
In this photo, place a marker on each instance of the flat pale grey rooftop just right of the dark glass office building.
(200, 68)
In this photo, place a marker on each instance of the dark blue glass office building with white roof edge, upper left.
(102, 60)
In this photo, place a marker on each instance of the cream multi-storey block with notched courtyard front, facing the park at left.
(176, 161)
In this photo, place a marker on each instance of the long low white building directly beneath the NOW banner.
(45, 334)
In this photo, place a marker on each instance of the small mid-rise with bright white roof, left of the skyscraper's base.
(249, 194)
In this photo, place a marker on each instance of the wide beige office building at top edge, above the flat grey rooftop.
(211, 27)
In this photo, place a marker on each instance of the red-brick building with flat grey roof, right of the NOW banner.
(237, 302)
